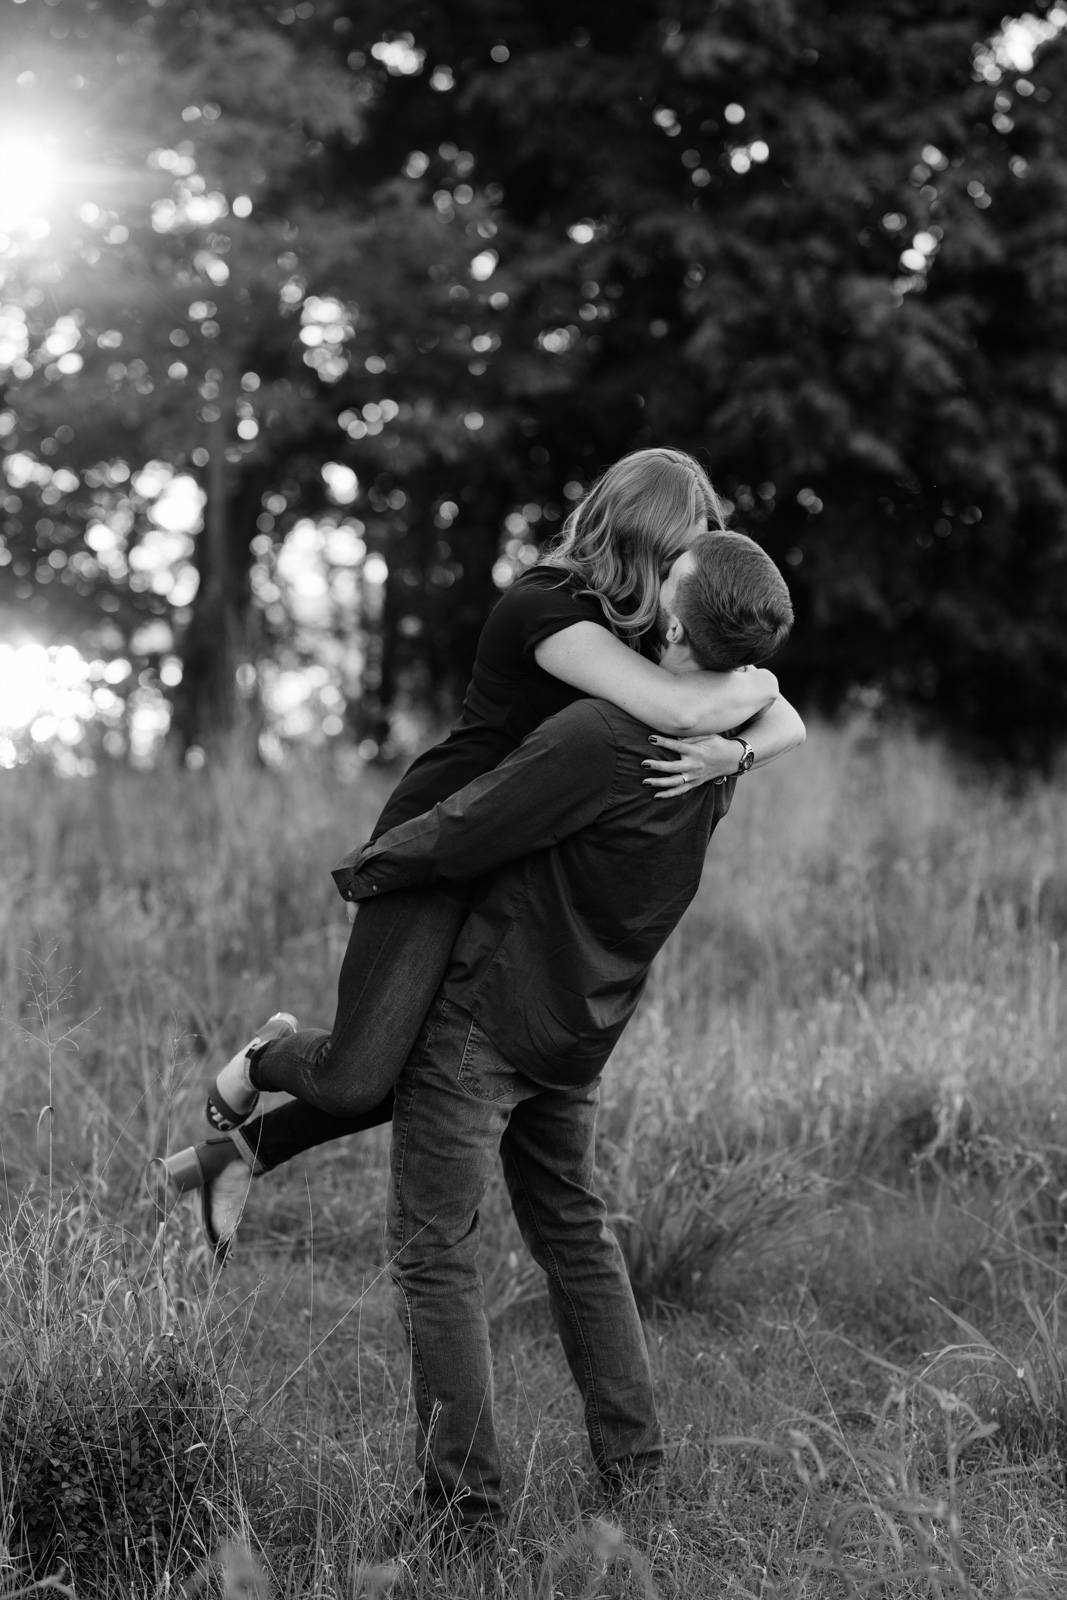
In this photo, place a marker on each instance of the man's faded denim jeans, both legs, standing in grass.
(458, 1103)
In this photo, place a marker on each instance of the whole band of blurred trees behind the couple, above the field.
(425, 270)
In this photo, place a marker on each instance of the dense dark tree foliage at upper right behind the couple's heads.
(823, 247)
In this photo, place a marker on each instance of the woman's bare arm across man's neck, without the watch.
(593, 660)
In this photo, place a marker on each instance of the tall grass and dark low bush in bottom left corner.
(124, 1455)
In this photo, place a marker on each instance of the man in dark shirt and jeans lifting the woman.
(580, 878)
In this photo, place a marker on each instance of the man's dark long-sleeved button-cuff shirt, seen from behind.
(583, 878)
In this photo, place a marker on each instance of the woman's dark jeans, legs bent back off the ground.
(398, 956)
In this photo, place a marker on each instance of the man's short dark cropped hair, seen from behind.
(733, 606)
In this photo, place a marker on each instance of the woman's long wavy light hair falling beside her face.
(636, 521)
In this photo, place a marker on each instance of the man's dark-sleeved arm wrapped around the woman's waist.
(556, 783)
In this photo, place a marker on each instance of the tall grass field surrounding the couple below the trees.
(833, 1142)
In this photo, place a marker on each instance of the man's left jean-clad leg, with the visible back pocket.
(454, 1102)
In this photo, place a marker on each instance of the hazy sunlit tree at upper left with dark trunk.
(182, 322)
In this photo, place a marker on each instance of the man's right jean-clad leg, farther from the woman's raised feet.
(549, 1169)
